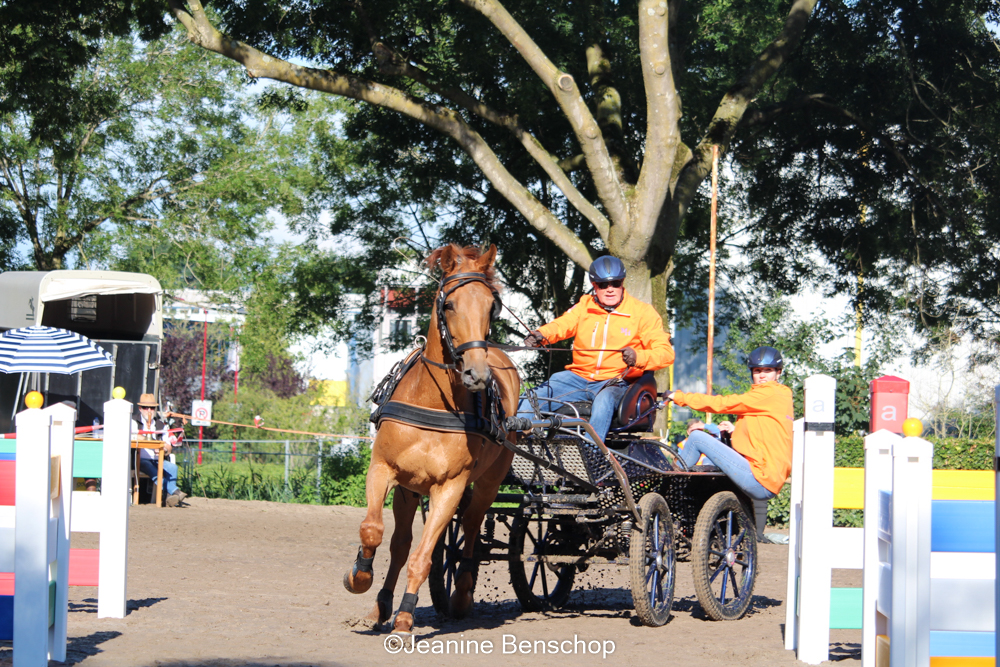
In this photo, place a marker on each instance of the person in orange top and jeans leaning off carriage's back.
(761, 455)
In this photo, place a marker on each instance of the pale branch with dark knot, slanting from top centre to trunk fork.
(567, 95)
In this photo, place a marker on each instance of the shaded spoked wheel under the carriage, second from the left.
(540, 585)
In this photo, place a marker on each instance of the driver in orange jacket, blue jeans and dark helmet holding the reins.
(617, 338)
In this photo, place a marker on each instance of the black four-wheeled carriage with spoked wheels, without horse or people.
(614, 503)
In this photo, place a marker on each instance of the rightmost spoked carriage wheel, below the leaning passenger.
(724, 557)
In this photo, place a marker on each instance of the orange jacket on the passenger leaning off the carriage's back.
(763, 434)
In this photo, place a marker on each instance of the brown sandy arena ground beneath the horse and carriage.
(255, 584)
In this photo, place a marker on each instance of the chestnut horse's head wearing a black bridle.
(468, 300)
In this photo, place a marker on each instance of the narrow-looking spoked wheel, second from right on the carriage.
(651, 560)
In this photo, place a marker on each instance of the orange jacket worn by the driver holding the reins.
(632, 324)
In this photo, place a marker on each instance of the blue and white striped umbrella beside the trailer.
(49, 350)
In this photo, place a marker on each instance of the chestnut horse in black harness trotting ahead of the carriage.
(440, 463)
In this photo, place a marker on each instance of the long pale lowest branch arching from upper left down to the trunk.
(260, 65)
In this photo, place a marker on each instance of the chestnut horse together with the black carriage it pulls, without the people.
(581, 501)
